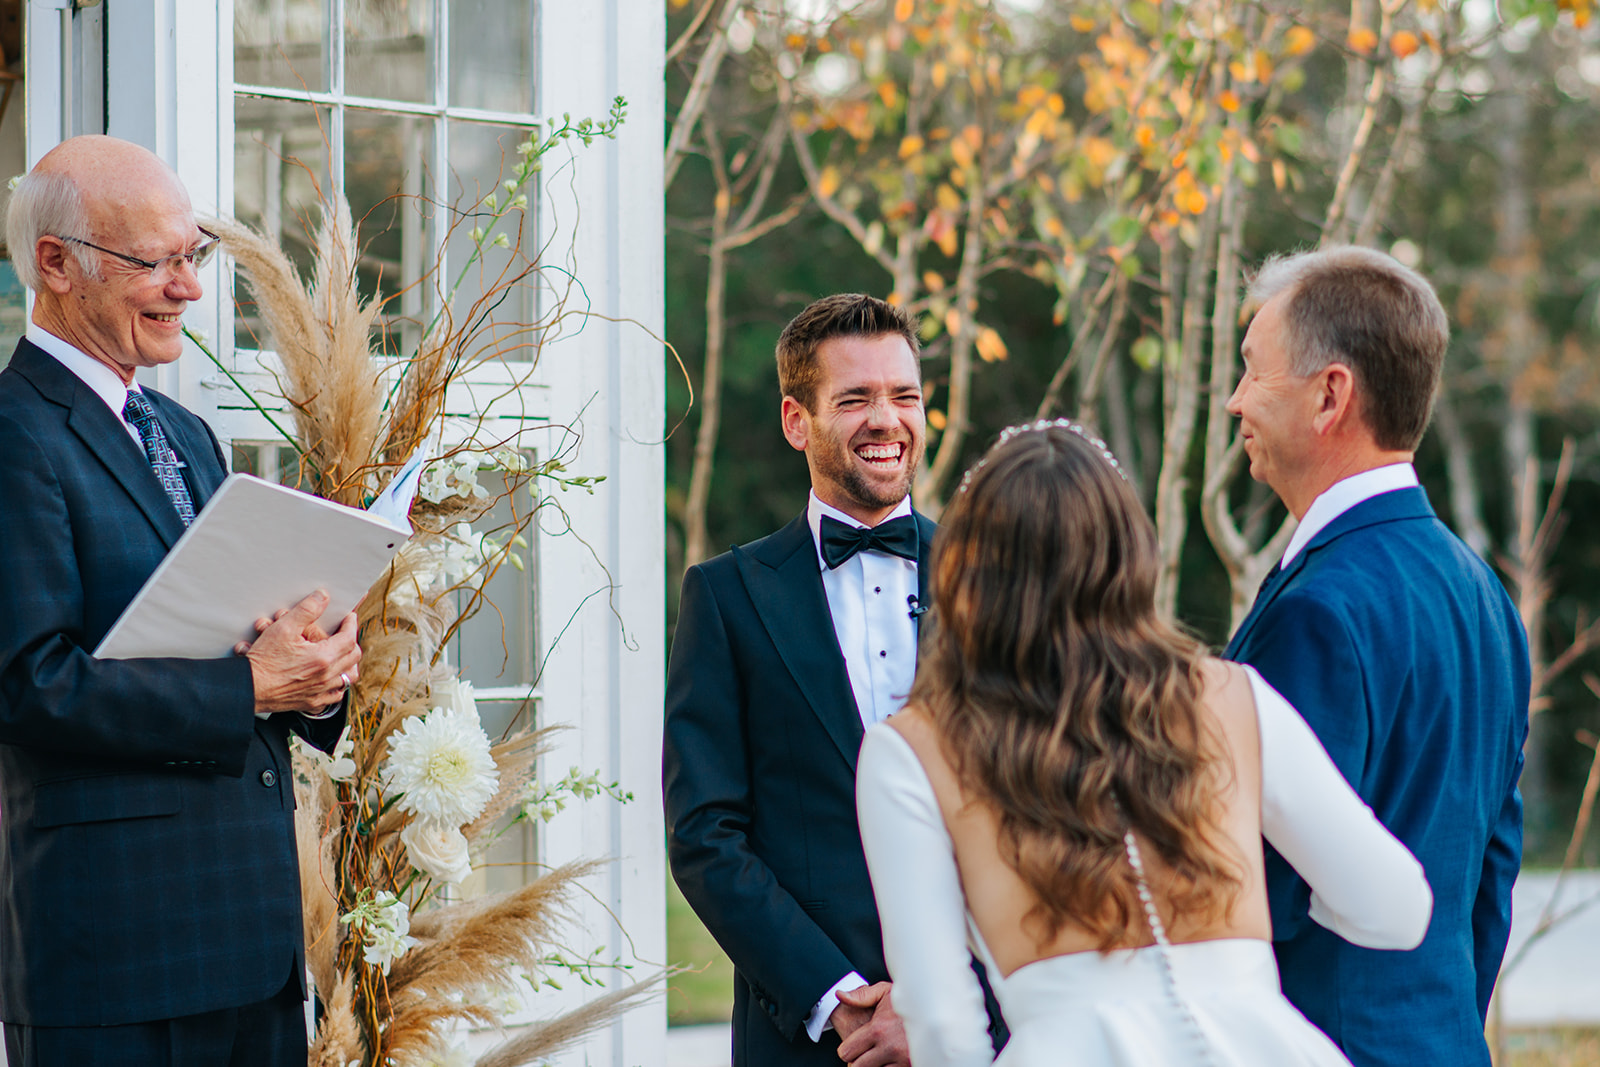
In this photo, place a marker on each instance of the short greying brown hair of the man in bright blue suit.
(1369, 311)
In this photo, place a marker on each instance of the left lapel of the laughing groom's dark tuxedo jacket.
(786, 586)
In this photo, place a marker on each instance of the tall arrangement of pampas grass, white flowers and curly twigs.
(399, 813)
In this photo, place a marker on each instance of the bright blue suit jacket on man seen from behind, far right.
(1404, 653)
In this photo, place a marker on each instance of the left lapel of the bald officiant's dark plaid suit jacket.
(103, 436)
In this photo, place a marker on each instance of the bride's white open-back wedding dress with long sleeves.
(1212, 1004)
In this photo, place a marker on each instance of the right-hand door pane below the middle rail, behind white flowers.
(495, 647)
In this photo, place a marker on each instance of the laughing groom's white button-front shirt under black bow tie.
(871, 597)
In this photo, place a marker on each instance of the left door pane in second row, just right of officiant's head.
(281, 172)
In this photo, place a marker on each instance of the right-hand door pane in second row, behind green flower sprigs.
(481, 159)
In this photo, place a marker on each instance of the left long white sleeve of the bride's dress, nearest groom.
(921, 905)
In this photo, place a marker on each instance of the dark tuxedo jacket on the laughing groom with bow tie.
(759, 762)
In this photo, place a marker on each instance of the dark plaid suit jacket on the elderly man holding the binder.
(148, 860)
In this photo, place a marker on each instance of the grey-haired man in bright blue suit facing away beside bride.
(1393, 639)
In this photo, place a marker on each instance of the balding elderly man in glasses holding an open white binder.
(150, 890)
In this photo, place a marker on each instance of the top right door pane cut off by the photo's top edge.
(492, 55)
